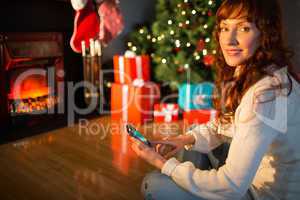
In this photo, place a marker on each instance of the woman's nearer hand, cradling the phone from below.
(147, 153)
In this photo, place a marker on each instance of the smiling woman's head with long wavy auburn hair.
(250, 40)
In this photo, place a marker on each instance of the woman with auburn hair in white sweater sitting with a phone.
(258, 109)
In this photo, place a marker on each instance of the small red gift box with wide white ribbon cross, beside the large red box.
(165, 112)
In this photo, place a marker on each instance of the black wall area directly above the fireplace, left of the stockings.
(35, 15)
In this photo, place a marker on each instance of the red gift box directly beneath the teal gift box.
(198, 116)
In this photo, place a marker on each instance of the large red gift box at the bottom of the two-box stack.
(133, 104)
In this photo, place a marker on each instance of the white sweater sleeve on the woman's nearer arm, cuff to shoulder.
(250, 142)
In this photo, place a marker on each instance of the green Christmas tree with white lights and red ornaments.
(179, 41)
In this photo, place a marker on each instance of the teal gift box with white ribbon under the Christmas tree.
(195, 96)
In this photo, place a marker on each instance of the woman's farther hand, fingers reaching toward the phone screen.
(169, 146)
